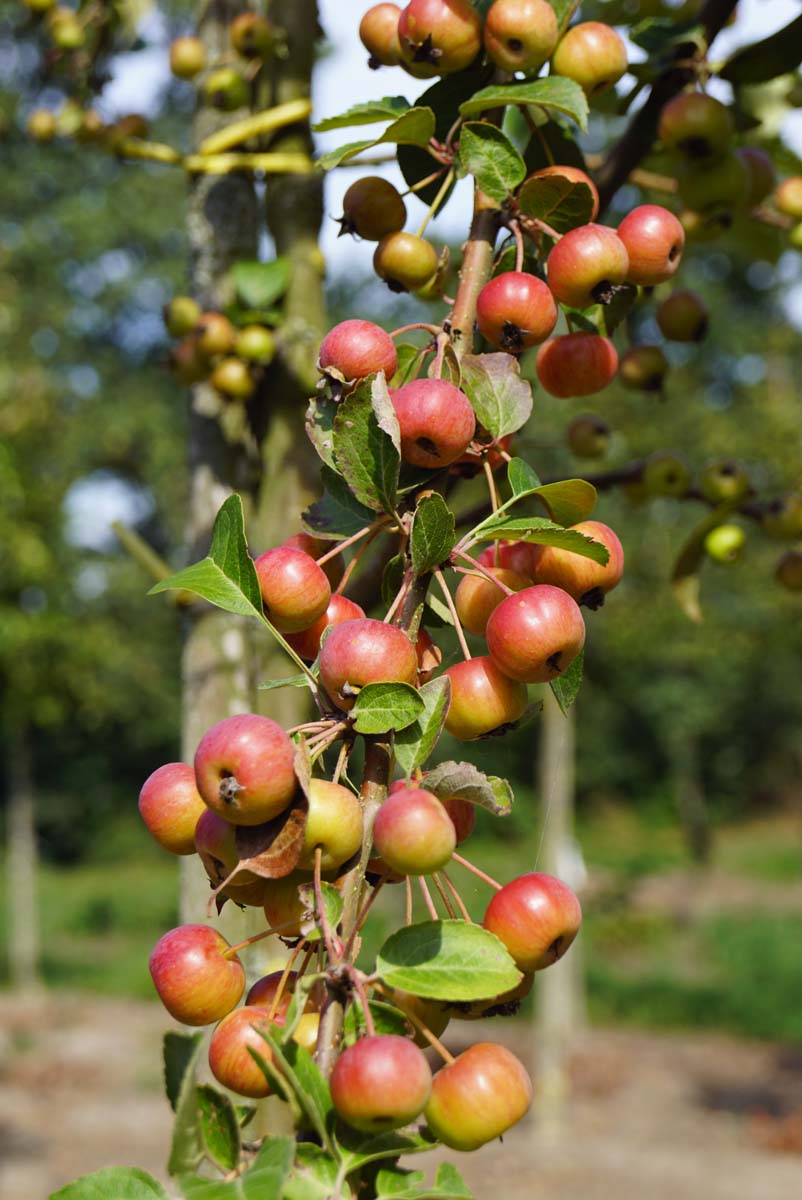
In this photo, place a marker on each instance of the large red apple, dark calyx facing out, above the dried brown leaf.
(244, 769)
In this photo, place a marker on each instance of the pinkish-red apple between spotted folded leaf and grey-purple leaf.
(436, 422)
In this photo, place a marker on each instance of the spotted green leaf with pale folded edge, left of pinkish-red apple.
(367, 445)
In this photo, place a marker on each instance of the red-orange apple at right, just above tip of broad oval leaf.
(537, 917)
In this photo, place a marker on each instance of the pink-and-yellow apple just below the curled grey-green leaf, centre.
(414, 833)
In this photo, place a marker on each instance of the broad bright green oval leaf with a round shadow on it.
(447, 961)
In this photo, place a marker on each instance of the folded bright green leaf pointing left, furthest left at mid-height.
(228, 577)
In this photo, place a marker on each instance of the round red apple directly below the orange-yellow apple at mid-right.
(535, 635)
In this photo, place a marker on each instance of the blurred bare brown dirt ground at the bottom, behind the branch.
(653, 1118)
